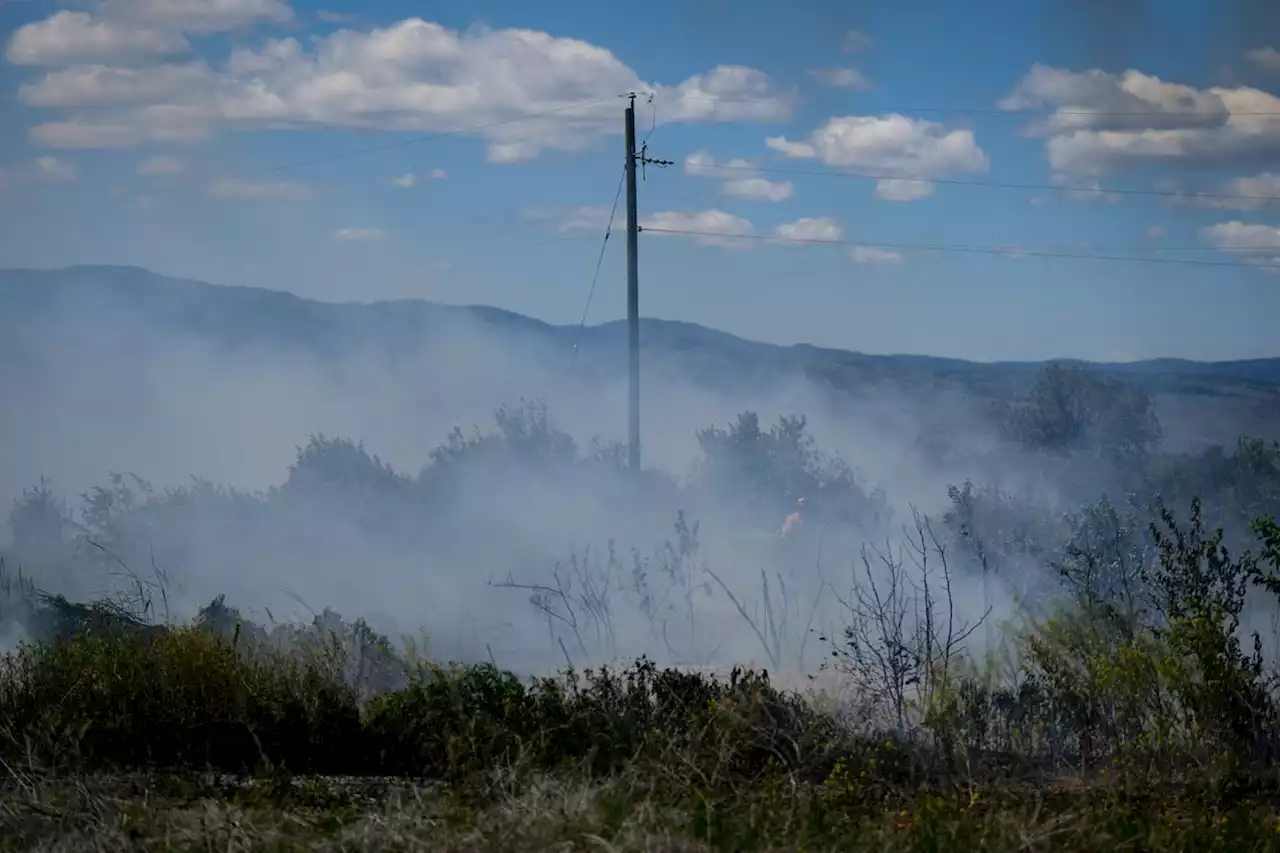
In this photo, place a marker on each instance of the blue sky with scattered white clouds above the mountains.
(281, 144)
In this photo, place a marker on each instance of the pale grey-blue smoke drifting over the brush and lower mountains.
(115, 371)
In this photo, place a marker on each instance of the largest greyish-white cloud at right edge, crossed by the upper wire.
(1104, 122)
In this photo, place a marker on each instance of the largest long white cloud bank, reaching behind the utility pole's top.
(414, 76)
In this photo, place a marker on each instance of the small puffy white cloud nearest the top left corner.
(70, 38)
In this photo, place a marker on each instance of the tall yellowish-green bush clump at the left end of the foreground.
(173, 699)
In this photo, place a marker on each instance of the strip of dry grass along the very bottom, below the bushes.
(103, 814)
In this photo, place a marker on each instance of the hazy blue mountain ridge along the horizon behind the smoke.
(239, 314)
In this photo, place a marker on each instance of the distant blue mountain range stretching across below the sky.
(240, 317)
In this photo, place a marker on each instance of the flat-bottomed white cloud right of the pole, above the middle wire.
(902, 148)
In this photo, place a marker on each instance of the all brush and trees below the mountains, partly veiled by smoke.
(1132, 704)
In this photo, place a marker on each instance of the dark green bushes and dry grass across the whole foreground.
(185, 740)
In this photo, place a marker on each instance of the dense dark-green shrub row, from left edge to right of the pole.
(190, 697)
